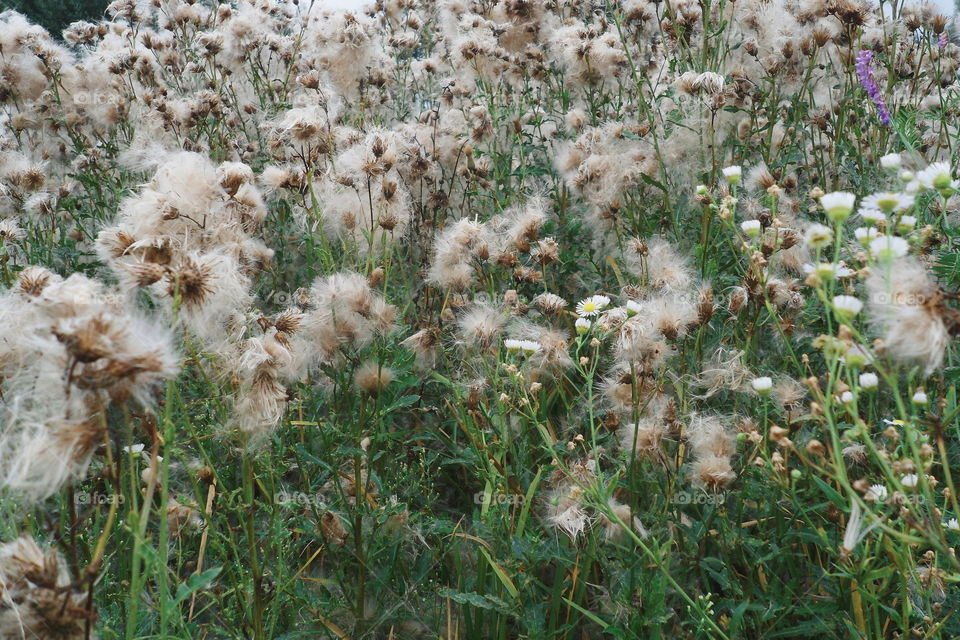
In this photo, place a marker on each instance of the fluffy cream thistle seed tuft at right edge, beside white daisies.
(908, 309)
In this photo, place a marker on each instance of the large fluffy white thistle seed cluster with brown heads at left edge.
(72, 349)
